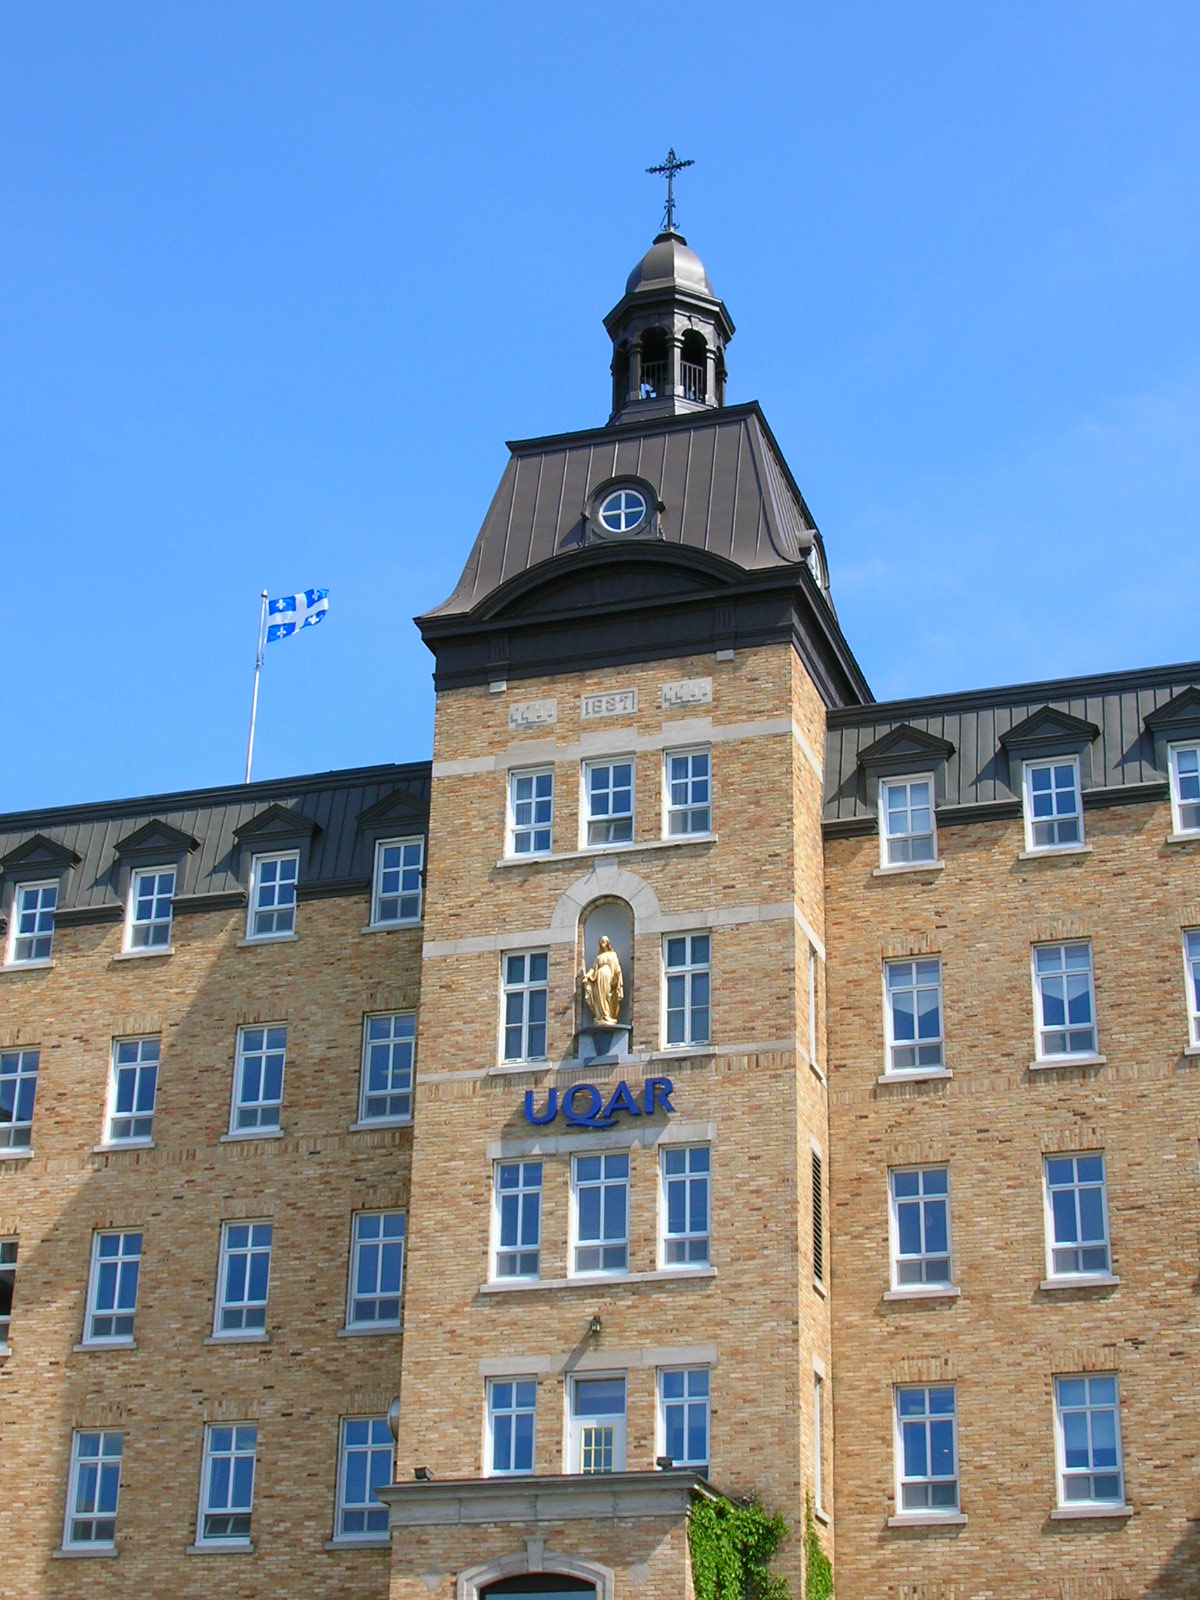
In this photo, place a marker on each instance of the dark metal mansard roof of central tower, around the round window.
(724, 486)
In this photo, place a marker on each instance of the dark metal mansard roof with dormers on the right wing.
(977, 740)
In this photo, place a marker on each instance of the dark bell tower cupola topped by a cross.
(670, 329)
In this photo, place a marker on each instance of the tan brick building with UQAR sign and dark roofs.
(354, 1242)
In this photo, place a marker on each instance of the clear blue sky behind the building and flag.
(279, 281)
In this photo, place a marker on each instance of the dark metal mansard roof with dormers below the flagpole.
(210, 834)
